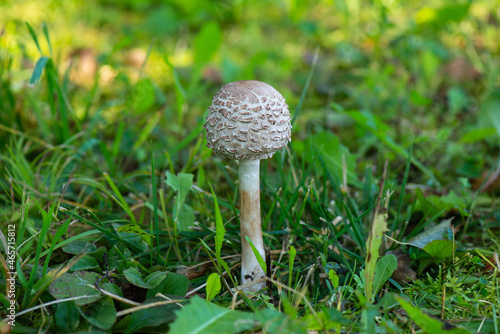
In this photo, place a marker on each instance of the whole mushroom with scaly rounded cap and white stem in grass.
(248, 121)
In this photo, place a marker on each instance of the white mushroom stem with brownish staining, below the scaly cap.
(250, 223)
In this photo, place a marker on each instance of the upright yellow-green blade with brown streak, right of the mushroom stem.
(373, 248)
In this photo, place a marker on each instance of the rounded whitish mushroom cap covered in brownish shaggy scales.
(248, 120)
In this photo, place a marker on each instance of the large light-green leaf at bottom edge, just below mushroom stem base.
(203, 317)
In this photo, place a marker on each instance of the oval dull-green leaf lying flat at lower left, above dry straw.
(76, 285)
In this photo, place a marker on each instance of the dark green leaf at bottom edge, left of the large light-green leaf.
(152, 316)
